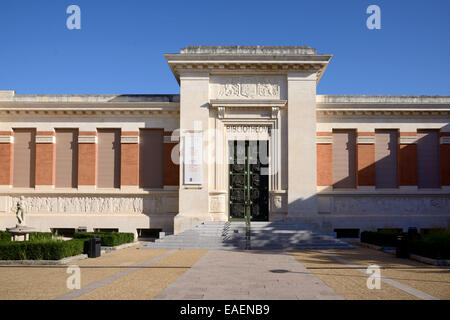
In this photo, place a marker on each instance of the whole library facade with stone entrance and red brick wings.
(246, 137)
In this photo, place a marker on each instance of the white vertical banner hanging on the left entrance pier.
(193, 158)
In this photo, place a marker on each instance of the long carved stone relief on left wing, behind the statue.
(97, 204)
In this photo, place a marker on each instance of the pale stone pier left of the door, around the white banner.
(194, 116)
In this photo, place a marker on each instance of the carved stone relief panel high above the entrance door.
(248, 87)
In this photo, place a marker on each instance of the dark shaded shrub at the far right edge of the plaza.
(434, 245)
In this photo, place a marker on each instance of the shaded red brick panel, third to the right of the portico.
(407, 159)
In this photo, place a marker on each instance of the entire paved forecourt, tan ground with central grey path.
(133, 273)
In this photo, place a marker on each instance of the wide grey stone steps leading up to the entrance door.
(264, 236)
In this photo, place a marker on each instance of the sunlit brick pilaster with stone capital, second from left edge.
(45, 159)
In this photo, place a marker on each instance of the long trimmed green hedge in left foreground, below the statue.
(41, 250)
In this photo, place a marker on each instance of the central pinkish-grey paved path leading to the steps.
(255, 275)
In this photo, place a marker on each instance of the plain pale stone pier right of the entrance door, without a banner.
(302, 177)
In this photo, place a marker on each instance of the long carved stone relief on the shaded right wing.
(391, 205)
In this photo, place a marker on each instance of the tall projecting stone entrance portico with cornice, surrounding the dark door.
(226, 90)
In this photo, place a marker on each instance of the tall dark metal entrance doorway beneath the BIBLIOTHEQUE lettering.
(248, 170)
